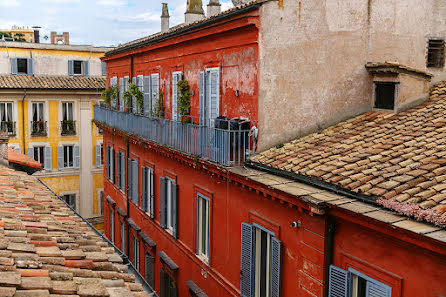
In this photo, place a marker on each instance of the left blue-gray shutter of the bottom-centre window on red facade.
(246, 261)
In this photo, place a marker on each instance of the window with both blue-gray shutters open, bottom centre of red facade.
(260, 264)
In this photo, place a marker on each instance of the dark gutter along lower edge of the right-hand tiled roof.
(313, 182)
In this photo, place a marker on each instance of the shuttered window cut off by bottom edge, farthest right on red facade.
(355, 284)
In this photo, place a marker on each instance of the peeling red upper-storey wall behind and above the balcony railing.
(232, 46)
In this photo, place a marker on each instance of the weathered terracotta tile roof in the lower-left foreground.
(46, 249)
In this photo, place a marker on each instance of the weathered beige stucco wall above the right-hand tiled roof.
(312, 57)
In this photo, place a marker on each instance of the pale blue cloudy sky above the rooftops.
(97, 22)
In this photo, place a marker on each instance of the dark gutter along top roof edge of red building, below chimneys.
(184, 30)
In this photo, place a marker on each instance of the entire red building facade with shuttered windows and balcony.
(200, 228)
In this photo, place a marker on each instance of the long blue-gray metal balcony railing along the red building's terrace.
(223, 146)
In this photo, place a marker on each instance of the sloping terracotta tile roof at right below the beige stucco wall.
(397, 157)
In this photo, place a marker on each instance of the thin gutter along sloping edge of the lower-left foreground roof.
(132, 270)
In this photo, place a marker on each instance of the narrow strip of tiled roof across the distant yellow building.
(51, 82)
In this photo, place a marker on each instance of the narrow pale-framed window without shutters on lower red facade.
(203, 227)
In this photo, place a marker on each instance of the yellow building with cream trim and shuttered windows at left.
(47, 93)
